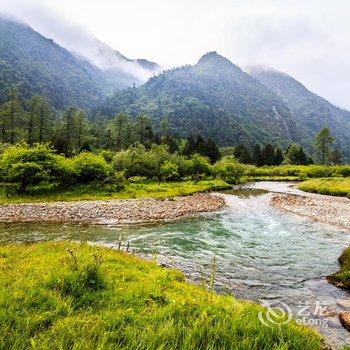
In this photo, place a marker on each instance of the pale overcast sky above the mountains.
(308, 39)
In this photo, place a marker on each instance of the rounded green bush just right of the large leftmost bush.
(89, 167)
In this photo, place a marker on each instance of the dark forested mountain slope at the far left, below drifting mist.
(35, 64)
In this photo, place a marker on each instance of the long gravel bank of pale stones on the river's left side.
(133, 211)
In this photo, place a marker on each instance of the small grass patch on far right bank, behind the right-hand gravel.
(334, 186)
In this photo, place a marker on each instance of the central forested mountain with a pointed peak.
(213, 97)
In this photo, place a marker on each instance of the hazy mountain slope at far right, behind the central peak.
(310, 111)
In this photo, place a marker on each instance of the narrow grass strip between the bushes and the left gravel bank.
(139, 189)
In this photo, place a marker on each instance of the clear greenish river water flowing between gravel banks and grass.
(261, 254)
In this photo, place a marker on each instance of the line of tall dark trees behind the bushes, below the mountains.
(70, 132)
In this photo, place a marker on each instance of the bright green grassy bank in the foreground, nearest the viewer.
(97, 298)
